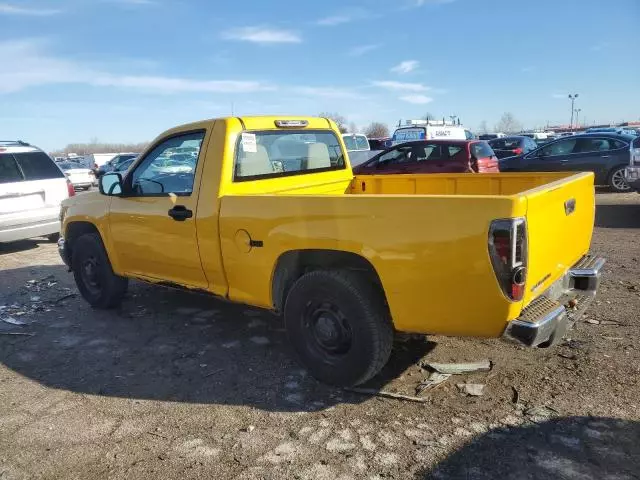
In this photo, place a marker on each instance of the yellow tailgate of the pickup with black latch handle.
(560, 218)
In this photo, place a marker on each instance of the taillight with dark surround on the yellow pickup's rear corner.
(508, 253)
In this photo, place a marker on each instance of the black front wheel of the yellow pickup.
(93, 273)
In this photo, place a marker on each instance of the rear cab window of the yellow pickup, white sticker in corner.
(268, 154)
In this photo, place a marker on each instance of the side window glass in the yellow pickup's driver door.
(168, 170)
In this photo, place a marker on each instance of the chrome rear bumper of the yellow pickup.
(546, 320)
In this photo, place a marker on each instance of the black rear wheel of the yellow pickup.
(339, 326)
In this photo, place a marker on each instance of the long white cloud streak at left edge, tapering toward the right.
(32, 67)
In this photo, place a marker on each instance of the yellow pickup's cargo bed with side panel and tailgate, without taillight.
(426, 236)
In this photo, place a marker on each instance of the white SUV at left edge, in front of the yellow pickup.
(31, 189)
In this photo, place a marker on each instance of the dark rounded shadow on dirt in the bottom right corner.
(564, 448)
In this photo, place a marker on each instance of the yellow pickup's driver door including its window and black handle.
(153, 225)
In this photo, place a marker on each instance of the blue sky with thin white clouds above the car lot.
(125, 70)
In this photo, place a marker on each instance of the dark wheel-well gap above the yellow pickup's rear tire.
(291, 265)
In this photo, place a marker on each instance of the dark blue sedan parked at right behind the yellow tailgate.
(605, 154)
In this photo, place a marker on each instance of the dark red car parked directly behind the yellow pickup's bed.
(433, 156)
